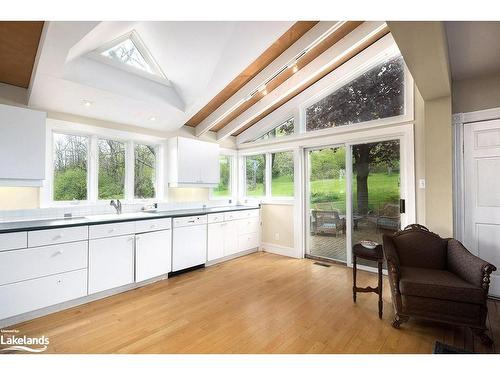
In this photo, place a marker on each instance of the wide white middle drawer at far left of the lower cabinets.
(19, 265)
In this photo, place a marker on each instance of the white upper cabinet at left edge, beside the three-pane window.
(22, 146)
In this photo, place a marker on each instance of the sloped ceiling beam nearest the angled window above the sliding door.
(340, 52)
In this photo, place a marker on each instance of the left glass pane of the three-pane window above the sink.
(70, 167)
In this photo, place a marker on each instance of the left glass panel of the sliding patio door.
(326, 203)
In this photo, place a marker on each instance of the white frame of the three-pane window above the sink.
(93, 134)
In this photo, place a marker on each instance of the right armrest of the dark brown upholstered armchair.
(468, 266)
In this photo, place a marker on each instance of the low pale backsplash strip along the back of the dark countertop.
(81, 210)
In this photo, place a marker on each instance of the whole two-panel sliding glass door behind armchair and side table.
(336, 221)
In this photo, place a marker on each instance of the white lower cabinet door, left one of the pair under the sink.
(111, 263)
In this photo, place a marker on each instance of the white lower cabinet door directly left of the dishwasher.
(153, 254)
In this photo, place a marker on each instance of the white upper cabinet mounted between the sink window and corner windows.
(193, 163)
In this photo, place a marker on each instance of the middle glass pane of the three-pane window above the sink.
(111, 179)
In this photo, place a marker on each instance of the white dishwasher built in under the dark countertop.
(189, 242)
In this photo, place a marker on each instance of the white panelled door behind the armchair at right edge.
(482, 194)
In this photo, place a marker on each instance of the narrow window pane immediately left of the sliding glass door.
(282, 174)
